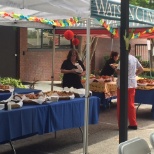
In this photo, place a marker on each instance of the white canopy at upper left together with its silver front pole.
(54, 9)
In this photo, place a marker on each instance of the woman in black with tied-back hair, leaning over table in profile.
(108, 69)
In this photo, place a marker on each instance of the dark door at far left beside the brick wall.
(8, 51)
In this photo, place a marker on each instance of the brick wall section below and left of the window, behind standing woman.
(37, 63)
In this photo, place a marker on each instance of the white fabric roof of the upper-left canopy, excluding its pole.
(47, 9)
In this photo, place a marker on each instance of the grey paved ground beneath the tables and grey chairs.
(103, 137)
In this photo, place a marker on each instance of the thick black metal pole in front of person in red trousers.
(123, 72)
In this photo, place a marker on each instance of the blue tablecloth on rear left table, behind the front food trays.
(4, 96)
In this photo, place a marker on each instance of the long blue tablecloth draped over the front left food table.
(45, 118)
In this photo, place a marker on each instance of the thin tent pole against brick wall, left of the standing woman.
(53, 56)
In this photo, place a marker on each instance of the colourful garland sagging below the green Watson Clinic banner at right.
(114, 31)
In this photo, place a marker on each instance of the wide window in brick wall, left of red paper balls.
(43, 39)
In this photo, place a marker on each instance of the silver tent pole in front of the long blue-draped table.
(86, 116)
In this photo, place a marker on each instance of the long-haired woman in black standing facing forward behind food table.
(72, 69)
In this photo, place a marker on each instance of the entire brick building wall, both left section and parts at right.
(37, 63)
